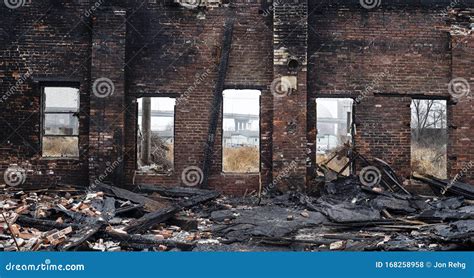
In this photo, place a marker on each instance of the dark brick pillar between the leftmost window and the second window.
(107, 99)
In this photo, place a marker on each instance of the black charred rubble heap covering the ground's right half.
(350, 216)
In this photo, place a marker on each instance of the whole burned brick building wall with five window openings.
(102, 57)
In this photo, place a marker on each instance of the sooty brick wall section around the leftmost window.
(52, 40)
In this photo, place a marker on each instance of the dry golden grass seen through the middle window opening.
(241, 160)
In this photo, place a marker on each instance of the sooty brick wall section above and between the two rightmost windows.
(383, 58)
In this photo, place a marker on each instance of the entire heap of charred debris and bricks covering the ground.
(346, 216)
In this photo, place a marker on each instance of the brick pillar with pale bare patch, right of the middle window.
(289, 88)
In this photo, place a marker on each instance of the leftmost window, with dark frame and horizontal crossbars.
(60, 122)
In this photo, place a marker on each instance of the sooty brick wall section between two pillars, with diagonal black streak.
(170, 52)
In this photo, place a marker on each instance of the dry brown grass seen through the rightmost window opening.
(431, 161)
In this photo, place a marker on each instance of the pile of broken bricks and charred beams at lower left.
(102, 218)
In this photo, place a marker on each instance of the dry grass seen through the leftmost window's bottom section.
(60, 147)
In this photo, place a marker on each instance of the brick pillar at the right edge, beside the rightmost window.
(461, 109)
